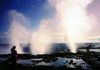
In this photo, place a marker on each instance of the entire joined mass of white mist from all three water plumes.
(71, 24)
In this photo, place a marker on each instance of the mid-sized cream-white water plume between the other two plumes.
(41, 39)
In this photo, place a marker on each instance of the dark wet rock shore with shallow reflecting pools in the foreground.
(57, 60)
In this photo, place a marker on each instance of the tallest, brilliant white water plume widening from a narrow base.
(74, 20)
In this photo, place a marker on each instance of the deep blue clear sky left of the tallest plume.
(34, 10)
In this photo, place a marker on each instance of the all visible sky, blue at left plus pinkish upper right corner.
(35, 11)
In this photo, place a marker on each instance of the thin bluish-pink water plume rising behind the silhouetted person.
(17, 32)
